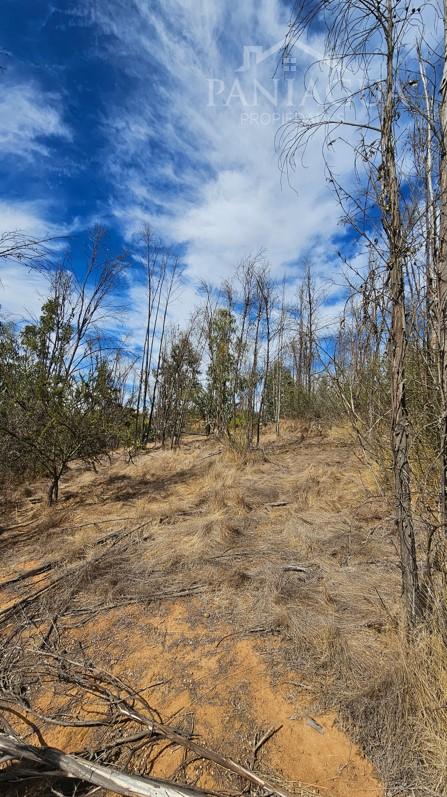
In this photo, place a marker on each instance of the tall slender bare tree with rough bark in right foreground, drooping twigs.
(367, 62)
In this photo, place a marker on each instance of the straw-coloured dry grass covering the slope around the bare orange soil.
(224, 530)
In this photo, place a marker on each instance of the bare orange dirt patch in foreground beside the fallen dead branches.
(228, 693)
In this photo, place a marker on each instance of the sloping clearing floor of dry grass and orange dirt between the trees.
(241, 591)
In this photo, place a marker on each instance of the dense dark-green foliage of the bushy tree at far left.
(50, 416)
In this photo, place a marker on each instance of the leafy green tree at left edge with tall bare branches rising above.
(57, 391)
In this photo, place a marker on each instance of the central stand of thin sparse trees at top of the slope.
(247, 357)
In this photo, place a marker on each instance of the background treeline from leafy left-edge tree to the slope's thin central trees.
(69, 389)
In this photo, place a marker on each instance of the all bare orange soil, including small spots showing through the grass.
(222, 688)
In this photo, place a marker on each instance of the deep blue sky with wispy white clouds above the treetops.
(126, 112)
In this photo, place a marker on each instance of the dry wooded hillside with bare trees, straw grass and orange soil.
(262, 483)
